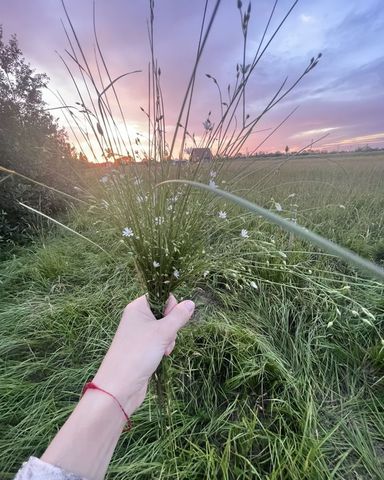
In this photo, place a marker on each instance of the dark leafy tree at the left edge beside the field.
(31, 143)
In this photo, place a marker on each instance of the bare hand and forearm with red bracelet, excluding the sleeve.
(85, 444)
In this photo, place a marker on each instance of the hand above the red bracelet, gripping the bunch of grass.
(137, 348)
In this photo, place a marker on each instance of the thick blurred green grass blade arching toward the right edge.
(327, 245)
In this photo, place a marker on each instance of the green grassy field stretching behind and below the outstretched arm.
(282, 381)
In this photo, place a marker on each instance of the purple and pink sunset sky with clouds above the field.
(342, 97)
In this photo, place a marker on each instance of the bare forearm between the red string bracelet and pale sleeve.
(86, 442)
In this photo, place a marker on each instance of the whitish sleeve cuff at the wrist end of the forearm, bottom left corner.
(36, 469)
